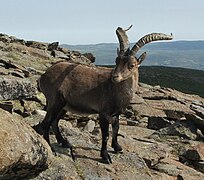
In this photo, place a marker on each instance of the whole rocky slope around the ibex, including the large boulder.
(162, 135)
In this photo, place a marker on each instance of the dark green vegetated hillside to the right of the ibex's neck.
(185, 80)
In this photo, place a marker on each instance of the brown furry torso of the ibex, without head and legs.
(85, 88)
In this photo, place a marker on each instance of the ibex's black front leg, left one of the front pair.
(104, 124)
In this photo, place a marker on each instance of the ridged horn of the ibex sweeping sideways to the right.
(149, 38)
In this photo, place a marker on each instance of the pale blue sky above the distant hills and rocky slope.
(92, 21)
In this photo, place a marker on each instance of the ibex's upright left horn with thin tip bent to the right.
(123, 39)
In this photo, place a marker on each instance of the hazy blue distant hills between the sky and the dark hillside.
(186, 54)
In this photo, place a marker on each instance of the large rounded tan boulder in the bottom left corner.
(23, 152)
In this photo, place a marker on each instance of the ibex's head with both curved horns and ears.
(127, 63)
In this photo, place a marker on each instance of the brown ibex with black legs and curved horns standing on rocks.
(99, 90)
